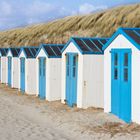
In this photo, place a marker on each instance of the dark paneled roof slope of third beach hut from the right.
(53, 50)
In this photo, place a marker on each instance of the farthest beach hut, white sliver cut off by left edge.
(4, 64)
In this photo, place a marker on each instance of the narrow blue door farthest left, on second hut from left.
(9, 70)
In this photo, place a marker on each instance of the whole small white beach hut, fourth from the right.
(28, 72)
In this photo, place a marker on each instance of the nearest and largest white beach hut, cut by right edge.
(121, 74)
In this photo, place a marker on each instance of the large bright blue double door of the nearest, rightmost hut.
(121, 83)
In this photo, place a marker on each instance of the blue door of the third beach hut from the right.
(42, 78)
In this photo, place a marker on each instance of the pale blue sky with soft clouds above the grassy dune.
(17, 13)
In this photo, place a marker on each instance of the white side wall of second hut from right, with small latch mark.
(93, 87)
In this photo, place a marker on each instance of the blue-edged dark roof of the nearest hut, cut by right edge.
(132, 34)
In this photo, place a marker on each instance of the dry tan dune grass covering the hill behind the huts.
(101, 24)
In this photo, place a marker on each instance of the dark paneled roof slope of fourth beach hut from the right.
(30, 52)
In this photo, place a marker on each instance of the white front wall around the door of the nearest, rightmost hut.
(122, 42)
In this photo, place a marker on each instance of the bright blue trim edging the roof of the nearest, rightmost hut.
(120, 31)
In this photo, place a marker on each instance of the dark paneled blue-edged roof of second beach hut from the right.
(88, 45)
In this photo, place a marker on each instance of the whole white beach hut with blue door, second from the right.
(82, 72)
